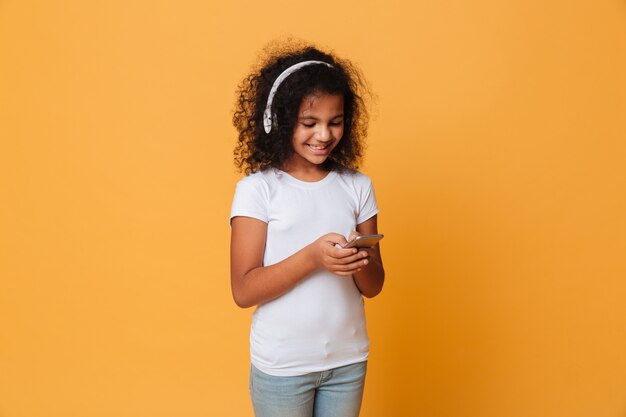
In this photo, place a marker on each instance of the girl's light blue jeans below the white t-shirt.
(333, 393)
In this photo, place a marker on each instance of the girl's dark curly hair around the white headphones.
(257, 150)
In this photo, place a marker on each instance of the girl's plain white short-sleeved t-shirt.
(320, 323)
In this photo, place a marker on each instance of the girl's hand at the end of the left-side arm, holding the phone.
(344, 262)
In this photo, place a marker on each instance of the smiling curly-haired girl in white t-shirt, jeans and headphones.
(301, 123)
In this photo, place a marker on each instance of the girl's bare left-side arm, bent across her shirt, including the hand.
(252, 283)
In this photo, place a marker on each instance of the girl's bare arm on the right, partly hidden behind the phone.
(370, 279)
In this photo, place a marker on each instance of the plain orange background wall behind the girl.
(498, 152)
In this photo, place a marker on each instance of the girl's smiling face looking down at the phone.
(318, 131)
